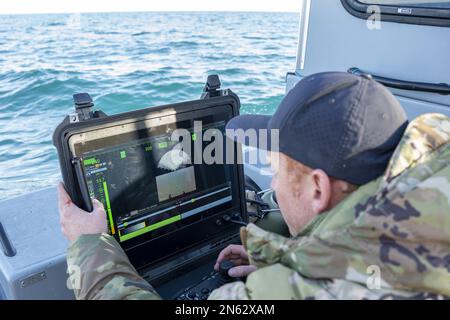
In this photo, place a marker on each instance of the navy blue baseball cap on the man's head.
(344, 124)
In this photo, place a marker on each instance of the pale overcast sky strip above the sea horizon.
(71, 6)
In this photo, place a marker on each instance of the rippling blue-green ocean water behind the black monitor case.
(126, 61)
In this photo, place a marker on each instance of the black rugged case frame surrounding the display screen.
(204, 237)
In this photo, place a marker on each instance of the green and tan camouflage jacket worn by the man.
(390, 239)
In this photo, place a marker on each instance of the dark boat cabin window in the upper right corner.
(425, 12)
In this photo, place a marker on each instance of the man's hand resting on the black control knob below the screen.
(239, 257)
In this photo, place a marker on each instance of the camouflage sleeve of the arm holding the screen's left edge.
(99, 269)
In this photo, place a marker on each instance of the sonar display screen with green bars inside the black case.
(148, 187)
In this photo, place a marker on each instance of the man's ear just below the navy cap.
(322, 191)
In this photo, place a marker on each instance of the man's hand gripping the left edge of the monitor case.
(75, 221)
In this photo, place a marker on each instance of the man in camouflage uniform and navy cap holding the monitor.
(390, 239)
